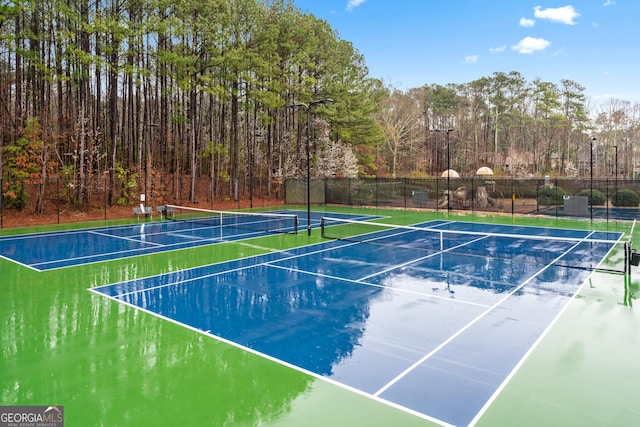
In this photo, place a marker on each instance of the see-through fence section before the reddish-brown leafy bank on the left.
(57, 199)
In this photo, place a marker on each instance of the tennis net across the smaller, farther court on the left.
(267, 222)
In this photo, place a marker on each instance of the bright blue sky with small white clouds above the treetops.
(411, 43)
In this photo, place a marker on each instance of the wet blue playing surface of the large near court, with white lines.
(434, 333)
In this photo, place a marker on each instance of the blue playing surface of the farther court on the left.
(46, 251)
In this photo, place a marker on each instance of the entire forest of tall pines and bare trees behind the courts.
(139, 93)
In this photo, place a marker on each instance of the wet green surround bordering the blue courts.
(109, 364)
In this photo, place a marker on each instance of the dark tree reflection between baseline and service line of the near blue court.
(268, 310)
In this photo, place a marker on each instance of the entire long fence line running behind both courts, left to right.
(57, 198)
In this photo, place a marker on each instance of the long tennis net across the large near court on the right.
(601, 251)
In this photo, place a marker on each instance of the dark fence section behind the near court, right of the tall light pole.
(505, 195)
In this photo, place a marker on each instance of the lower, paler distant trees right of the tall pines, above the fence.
(516, 127)
